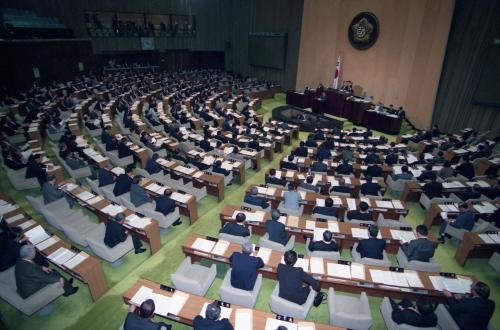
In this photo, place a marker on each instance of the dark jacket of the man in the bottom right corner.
(471, 313)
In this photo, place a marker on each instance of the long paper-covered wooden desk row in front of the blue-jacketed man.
(341, 275)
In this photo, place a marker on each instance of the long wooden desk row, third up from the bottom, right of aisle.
(346, 234)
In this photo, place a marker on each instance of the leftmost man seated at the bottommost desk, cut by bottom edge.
(141, 319)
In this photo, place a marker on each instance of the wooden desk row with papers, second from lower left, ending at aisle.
(104, 209)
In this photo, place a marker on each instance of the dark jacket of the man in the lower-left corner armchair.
(30, 278)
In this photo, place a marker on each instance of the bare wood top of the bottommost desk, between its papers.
(194, 304)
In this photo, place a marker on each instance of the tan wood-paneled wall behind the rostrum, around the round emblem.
(404, 65)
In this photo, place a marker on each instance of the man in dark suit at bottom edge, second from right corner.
(421, 315)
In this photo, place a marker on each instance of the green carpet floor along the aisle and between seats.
(79, 312)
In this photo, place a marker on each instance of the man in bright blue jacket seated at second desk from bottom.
(244, 268)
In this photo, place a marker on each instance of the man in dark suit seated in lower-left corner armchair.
(31, 277)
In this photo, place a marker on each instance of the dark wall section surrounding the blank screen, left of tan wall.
(264, 16)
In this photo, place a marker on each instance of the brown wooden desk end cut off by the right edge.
(472, 246)
